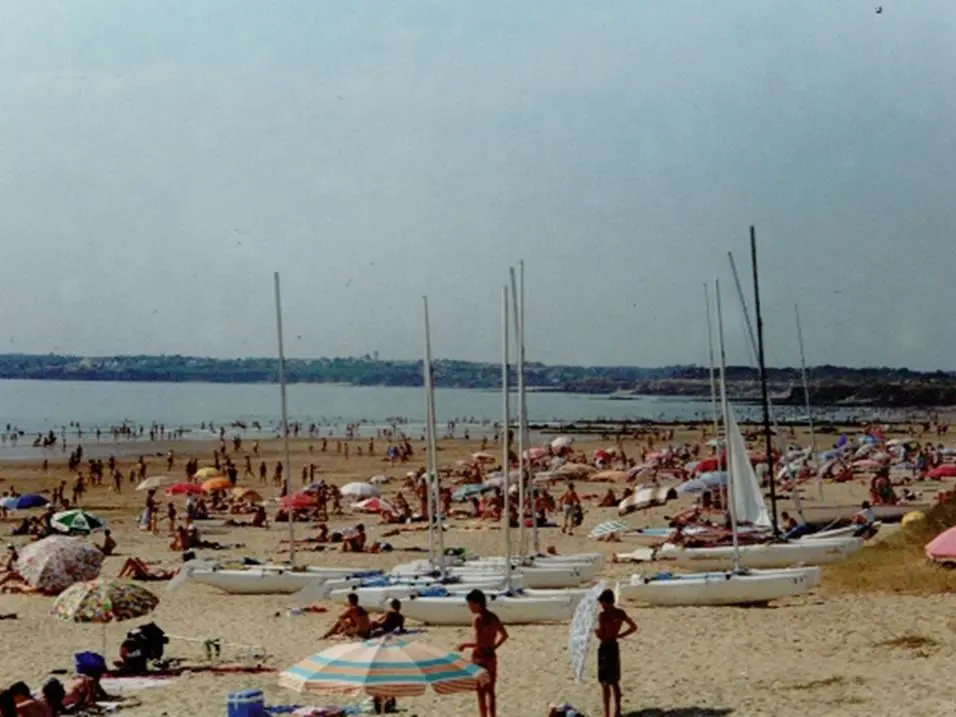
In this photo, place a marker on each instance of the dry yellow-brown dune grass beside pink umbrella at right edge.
(898, 564)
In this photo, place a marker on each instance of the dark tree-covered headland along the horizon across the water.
(829, 385)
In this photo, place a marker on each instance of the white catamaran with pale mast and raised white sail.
(739, 585)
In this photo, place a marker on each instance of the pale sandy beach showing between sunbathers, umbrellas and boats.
(824, 654)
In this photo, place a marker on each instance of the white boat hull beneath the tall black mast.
(823, 551)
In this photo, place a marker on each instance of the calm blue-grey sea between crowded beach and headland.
(75, 409)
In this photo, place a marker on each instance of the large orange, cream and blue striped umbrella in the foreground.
(384, 667)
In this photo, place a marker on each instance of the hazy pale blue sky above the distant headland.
(160, 160)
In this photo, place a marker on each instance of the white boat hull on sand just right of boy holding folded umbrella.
(721, 588)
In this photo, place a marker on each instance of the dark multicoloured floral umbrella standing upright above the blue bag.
(103, 601)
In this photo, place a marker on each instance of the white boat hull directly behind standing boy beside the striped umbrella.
(453, 610)
